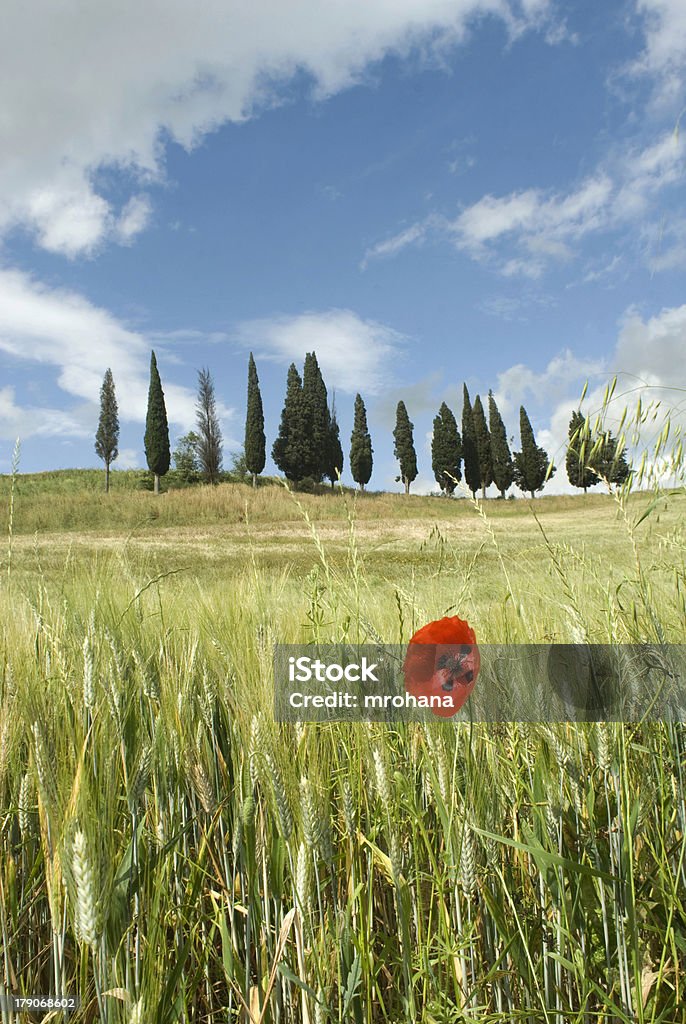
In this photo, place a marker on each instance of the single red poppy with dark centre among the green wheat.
(443, 661)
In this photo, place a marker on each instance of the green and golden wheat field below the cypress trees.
(171, 855)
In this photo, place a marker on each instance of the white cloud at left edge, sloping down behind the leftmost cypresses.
(63, 330)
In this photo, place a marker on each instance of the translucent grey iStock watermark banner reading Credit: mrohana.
(492, 684)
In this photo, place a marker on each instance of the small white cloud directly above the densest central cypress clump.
(355, 355)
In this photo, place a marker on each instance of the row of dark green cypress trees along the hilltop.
(309, 444)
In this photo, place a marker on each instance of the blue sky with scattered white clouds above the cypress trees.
(424, 193)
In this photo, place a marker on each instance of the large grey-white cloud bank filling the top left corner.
(108, 84)
